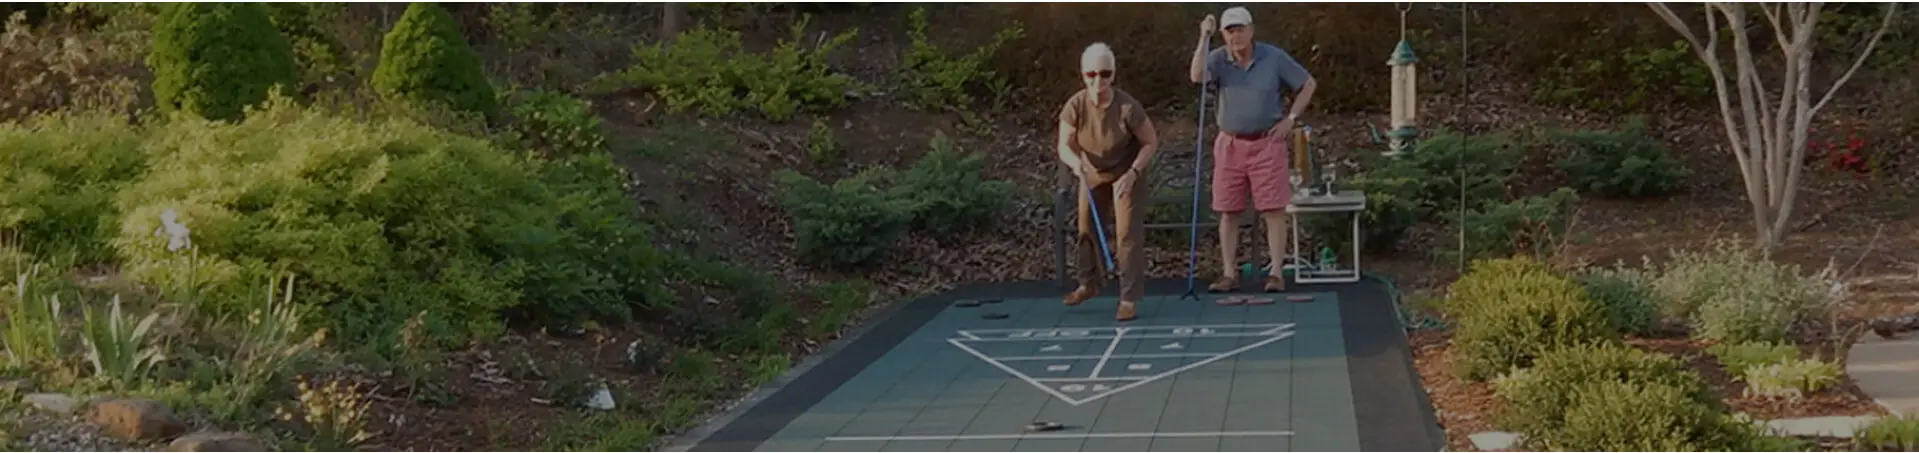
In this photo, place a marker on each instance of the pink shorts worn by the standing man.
(1250, 166)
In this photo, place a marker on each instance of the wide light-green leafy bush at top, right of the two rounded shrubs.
(709, 70)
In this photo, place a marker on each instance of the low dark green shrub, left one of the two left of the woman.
(845, 224)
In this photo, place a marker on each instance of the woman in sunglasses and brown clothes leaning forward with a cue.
(1108, 143)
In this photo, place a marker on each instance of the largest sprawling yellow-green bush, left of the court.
(387, 220)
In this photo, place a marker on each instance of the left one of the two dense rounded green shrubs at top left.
(214, 60)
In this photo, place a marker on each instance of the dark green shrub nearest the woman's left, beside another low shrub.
(947, 193)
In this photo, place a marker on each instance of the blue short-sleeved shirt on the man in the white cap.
(1250, 97)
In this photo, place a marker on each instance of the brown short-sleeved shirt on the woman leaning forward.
(1106, 137)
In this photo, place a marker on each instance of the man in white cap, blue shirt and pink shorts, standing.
(1254, 126)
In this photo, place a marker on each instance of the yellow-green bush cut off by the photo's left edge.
(62, 174)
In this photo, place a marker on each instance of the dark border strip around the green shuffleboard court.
(1392, 408)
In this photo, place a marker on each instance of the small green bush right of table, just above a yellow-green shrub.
(1530, 226)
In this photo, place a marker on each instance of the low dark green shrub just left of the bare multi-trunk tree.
(1621, 164)
